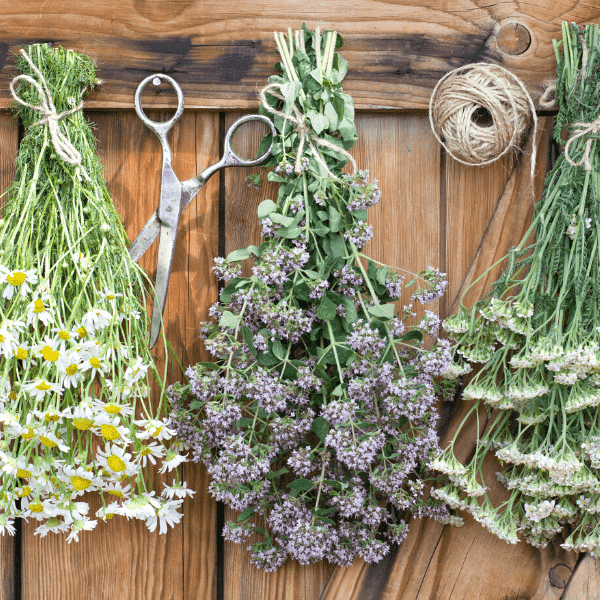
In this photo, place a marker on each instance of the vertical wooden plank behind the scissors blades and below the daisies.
(124, 560)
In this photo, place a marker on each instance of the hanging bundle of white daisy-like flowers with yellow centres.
(75, 369)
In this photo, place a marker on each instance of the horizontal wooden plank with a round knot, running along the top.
(221, 51)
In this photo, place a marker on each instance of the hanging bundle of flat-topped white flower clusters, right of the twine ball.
(535, 339)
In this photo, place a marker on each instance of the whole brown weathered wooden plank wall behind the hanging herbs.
(433, 211)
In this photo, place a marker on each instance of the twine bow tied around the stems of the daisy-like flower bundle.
(63, 147)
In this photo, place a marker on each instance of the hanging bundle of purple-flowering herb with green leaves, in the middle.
(318, 412)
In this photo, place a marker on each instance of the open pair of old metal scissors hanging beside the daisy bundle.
(176, 195)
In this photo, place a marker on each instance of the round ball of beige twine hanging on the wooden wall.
(479, 112)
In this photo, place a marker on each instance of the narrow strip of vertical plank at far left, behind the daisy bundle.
(9, 142)
